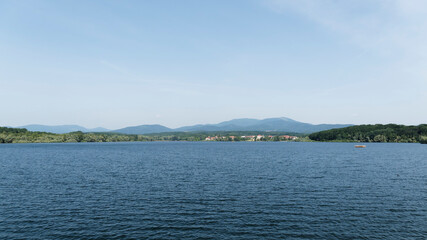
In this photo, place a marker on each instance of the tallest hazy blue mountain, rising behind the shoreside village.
(269, 124)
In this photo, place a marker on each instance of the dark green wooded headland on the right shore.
(373, 133)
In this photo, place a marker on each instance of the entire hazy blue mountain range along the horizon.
(243, 124)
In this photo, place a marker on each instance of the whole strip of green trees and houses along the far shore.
(361, 133)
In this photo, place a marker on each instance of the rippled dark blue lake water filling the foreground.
(213, 190)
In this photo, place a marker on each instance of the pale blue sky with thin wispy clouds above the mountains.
(124, 63)
